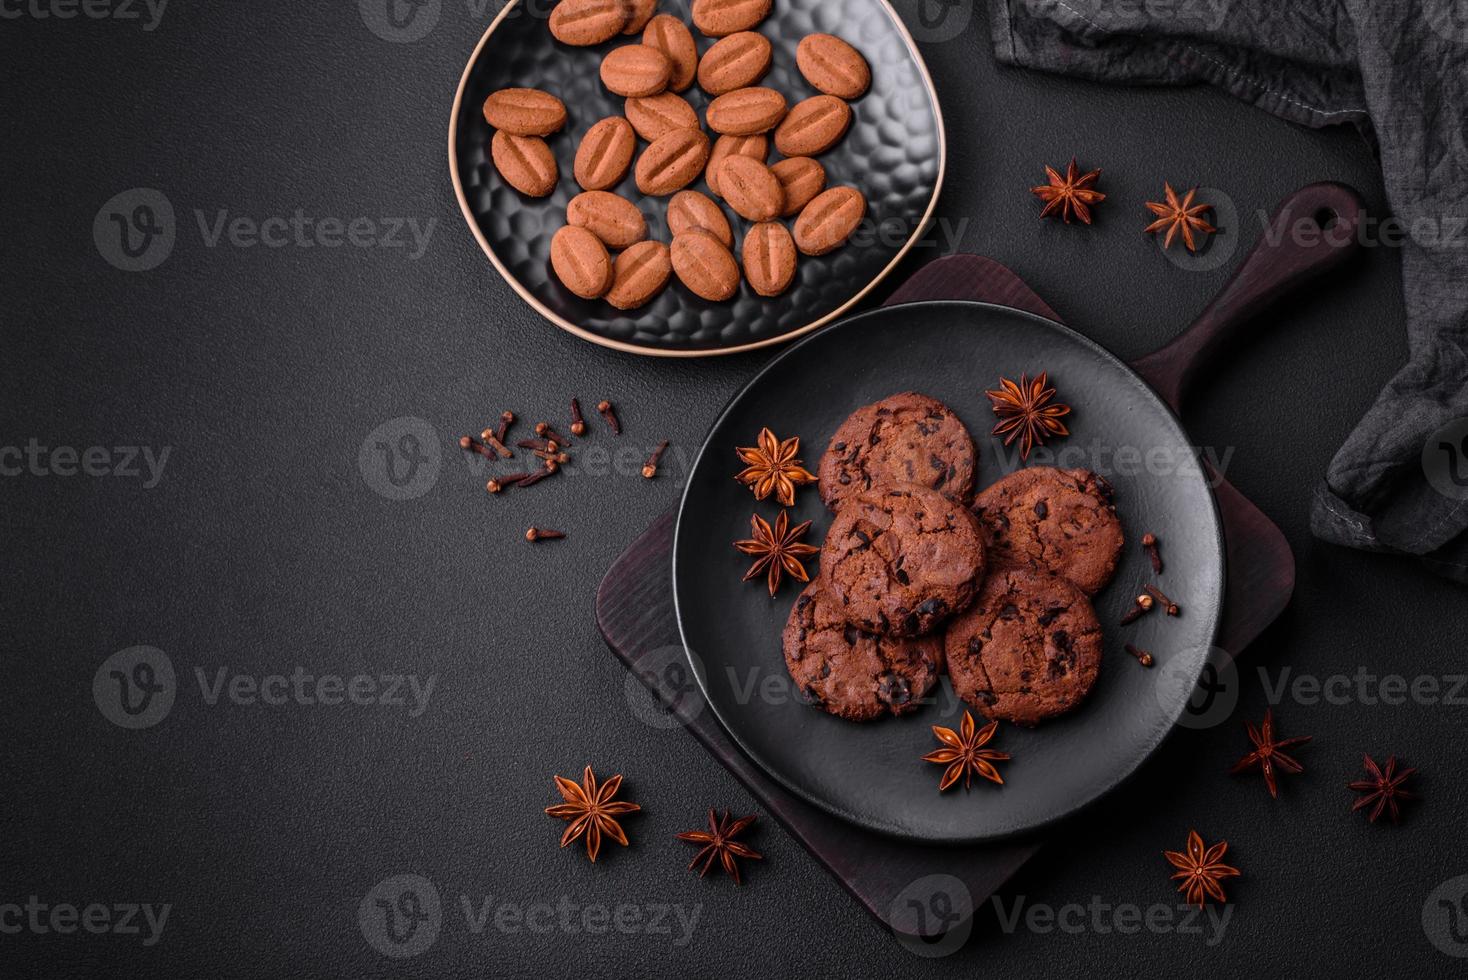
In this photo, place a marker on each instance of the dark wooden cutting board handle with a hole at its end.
(1312, 233)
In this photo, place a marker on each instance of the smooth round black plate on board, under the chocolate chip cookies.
(874, 775)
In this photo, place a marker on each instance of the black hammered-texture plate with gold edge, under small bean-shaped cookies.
(895, 153)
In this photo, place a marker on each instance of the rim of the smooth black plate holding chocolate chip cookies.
(1221, 542)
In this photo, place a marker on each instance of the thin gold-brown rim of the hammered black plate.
(647, 351)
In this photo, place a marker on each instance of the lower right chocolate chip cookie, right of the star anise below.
(1028, 649)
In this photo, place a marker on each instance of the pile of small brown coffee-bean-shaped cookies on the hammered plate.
(607, 250)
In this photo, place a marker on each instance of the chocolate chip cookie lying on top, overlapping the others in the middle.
(902, 560)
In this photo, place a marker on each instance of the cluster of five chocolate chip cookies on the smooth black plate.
(920, 576)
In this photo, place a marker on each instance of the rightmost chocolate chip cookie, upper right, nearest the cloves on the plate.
(1059, 520)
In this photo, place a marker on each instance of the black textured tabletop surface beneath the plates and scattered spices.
(264, 549)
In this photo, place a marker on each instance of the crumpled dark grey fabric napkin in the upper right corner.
(1398, 70)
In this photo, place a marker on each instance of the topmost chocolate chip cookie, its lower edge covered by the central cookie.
(908, 438)
